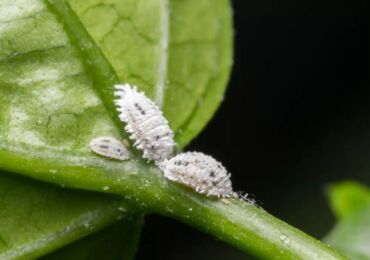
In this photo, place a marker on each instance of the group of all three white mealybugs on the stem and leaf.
(150, 132)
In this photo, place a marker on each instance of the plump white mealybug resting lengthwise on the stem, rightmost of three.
(200, 172)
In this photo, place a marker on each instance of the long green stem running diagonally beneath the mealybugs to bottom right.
(241, 224)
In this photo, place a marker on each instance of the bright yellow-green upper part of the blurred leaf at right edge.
(347, 198)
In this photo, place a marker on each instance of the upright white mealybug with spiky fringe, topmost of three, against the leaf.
(145, 123)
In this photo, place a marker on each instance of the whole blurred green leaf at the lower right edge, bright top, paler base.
(351, 235)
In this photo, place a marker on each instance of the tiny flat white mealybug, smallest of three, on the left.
(109, 147)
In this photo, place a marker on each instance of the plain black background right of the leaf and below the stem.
(296, 117)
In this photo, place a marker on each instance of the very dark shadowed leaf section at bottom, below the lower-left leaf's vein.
(118, 241)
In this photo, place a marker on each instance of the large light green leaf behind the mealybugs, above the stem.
(57, 86)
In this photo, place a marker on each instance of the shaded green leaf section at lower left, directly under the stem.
(37, 218)
